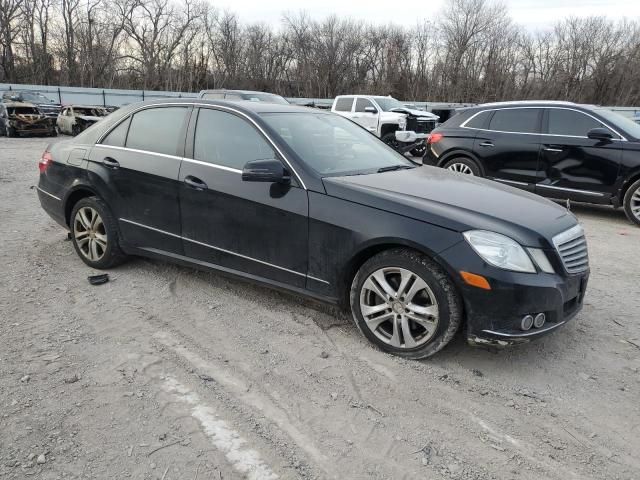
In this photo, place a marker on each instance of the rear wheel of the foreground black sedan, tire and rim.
(102, 248)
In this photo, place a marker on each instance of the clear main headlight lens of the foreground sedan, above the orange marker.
(500, 251)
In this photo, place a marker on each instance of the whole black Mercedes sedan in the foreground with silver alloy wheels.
(308, 201)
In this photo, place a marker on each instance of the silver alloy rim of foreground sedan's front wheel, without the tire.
(399, 307)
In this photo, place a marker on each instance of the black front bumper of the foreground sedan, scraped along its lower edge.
(494, 316)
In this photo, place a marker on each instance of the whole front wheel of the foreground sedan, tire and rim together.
(388, 322)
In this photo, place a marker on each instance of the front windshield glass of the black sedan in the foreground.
(333, 145)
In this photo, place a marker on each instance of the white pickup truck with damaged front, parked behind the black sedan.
(387, 118)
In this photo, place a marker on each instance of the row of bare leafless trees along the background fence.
(470, 52)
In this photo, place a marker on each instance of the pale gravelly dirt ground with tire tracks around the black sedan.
(168, 373)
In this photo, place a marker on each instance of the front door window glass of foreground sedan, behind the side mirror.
(227, 140)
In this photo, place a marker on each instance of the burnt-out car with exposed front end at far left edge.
(18, 118)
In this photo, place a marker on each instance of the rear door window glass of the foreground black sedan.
(157, 130)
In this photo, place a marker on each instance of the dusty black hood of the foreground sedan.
(457, 202)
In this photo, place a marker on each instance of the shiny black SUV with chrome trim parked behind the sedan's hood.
(556, 149)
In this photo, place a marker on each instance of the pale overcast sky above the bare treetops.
(533, 14)
